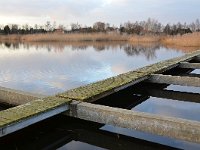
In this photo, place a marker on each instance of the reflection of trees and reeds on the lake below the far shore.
(131, 49)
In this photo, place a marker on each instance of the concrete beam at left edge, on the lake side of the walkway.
(17, 97)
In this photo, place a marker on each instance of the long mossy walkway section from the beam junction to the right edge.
(142, 73)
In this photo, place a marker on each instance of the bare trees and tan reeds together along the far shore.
(147, 31)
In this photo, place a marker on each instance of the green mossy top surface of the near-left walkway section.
(33, 108)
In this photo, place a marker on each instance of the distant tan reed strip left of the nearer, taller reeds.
(80, 37)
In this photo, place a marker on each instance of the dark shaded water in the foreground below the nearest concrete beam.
(61, 132)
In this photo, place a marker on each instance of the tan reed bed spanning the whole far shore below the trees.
(186, 40)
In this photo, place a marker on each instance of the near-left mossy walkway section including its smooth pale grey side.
(24, 115)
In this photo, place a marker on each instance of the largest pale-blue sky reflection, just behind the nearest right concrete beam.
(173, 108)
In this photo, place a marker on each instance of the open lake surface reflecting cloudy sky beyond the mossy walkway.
(51, 68)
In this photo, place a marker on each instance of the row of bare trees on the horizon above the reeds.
(150, 26)
